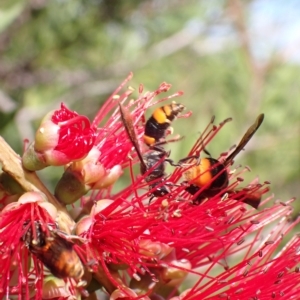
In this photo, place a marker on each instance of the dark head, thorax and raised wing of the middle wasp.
(153, 162)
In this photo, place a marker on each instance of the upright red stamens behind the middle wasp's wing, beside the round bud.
(112, 139)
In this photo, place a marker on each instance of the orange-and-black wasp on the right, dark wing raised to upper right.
(212, 173)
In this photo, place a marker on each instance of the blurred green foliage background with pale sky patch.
(231, 58)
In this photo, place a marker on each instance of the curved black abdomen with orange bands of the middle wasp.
(157, 125)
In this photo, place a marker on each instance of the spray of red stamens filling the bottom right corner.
(259, 274)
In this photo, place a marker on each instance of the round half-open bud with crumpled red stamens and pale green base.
(62, 137)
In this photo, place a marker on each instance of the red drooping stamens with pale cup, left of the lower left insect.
(16, 267)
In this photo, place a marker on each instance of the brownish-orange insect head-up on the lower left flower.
(54, 251)
